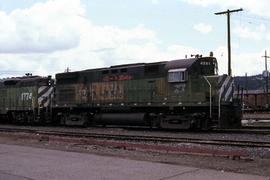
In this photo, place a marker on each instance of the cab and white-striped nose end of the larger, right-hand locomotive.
(197, 95)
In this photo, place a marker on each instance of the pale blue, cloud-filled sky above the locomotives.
(45, 37)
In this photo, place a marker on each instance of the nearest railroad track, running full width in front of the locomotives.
(136, 138)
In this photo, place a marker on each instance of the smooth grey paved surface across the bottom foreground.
(24, 163)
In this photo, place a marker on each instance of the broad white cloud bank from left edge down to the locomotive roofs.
(47, 38)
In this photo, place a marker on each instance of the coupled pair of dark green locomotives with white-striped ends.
(178, 94)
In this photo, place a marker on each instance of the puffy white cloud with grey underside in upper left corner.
(41, 28)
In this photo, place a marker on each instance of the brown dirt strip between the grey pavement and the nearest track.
(222, 163)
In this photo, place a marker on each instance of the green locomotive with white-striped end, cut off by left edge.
(26, 99)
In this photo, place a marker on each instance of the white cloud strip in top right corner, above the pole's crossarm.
(260, 7)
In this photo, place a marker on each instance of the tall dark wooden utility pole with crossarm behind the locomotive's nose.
(228, 12)
